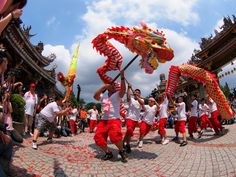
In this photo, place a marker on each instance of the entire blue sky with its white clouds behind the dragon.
(60, 24)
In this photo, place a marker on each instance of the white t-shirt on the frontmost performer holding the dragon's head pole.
(111, 106)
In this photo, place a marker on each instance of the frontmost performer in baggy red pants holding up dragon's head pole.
(110, 124)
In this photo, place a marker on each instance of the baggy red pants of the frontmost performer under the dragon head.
(105, 128)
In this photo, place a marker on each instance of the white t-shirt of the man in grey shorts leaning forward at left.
(50, 110)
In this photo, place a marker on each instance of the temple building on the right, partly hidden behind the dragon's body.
(215, 52)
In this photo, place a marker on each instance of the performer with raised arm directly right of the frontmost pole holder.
(133, 115)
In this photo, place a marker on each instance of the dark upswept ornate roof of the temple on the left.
(29, 58)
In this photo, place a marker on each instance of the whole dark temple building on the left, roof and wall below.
(26, 59)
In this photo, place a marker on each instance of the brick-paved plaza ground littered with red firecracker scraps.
(79, 156)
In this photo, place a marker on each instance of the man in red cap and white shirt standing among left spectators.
(31, 101)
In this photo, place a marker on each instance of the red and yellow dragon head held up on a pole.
(151, 45)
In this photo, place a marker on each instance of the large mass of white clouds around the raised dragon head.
(106, 13)
